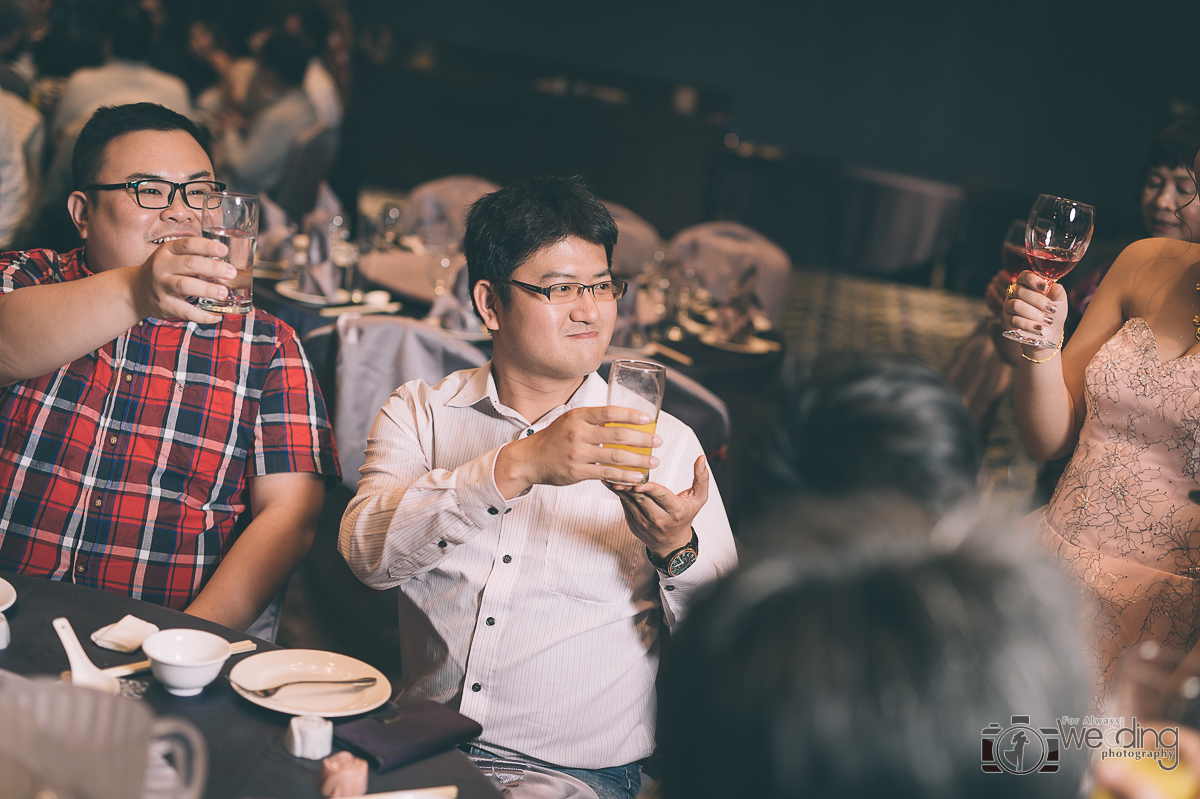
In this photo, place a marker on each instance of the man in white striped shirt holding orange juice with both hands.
(535, 575)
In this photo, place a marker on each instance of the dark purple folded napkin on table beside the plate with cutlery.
(407, 735)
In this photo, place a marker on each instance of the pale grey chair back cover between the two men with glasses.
(375, 357)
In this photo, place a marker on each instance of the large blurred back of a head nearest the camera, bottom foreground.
(871, 671)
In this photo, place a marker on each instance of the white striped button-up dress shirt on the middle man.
(539, 616)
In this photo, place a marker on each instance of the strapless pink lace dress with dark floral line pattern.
(1121, 519)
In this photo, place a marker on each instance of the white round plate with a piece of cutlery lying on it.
(269, 669)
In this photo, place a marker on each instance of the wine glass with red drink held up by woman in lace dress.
(1057, 237)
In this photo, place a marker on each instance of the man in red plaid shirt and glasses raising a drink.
(147, 447)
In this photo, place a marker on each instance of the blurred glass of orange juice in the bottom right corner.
(1156, 699)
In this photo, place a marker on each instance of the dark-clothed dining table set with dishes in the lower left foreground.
(247, 754)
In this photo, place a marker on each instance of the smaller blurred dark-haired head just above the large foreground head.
(872, 426)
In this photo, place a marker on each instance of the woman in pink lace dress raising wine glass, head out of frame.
(1125, 395)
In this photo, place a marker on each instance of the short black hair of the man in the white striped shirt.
(511, 225)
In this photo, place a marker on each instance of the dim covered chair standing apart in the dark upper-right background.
(887, 224)
